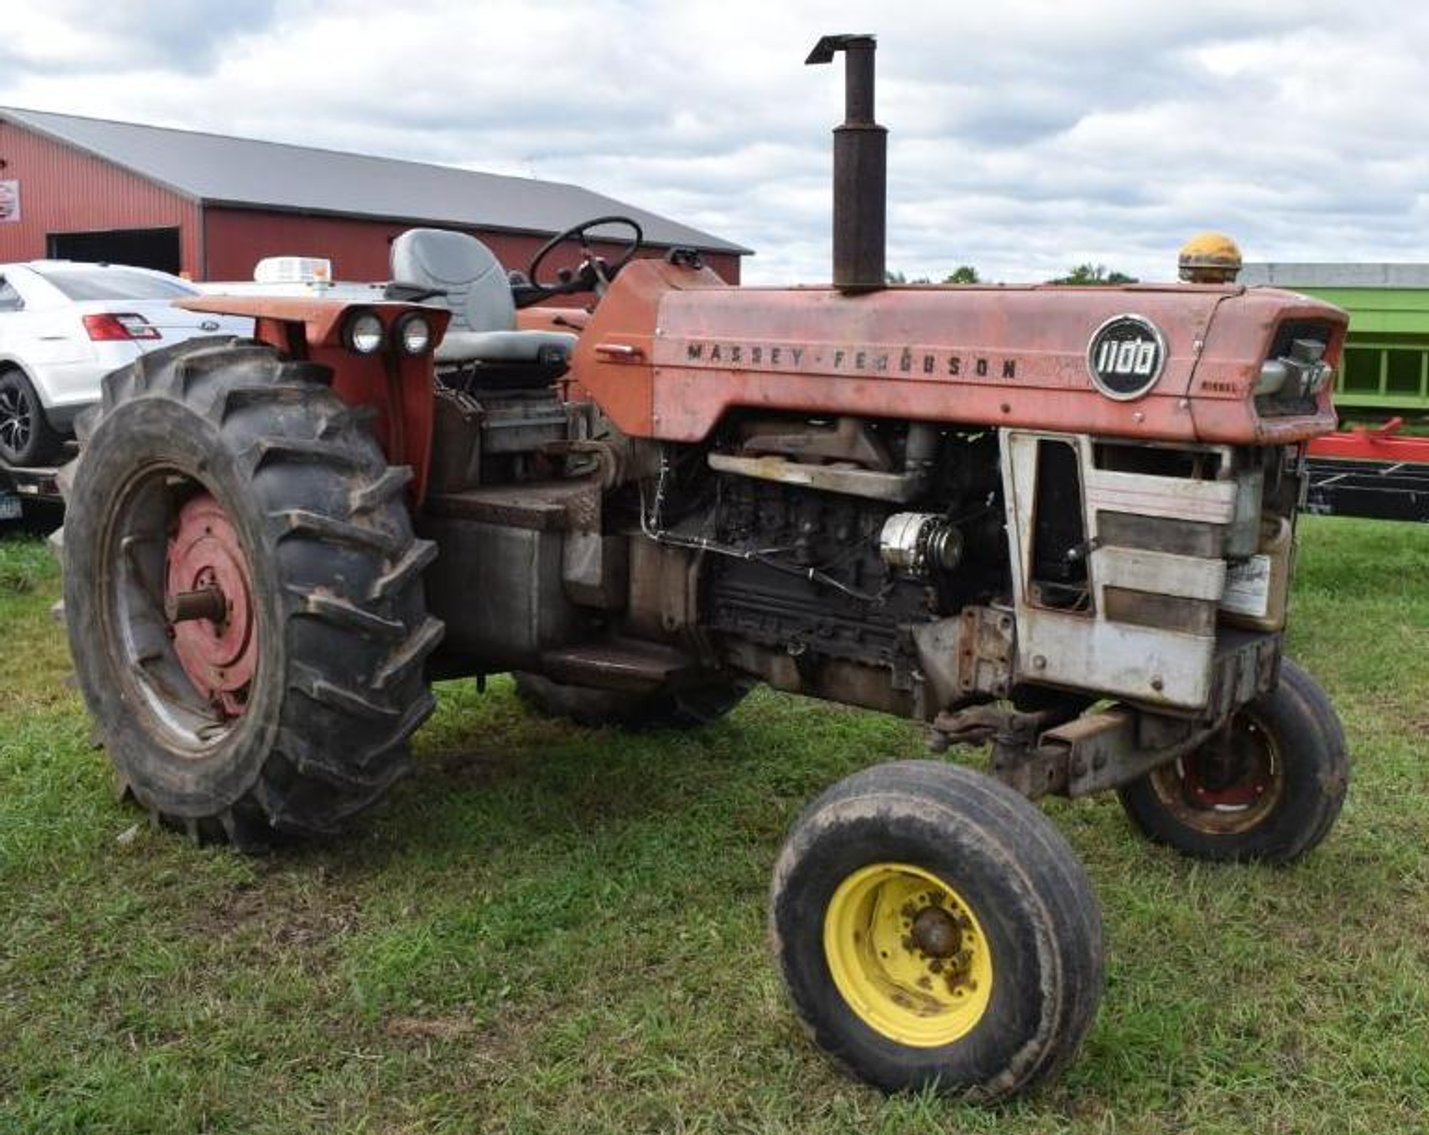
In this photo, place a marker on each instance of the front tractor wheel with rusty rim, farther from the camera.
(1270, 790)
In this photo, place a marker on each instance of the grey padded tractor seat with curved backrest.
(475, 288)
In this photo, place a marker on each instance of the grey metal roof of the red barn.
(216, 169)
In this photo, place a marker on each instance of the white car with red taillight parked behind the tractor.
(64, 327)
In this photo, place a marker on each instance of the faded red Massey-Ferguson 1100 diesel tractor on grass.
(1055, 521)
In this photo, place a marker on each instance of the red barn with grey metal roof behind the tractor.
(214, 207)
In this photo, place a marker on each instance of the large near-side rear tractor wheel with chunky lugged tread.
(219, 465)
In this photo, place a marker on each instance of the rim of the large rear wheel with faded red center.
(179, 617)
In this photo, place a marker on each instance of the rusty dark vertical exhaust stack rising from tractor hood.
(860, 169)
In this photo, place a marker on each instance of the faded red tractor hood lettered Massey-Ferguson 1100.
(671, 350)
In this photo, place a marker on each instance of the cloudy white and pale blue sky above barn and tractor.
(1027, 137)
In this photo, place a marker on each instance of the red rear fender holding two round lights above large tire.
(398, 387)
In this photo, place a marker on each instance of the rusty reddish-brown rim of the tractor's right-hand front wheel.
(1228, 785)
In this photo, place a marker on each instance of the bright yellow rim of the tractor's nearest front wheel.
(908, 956)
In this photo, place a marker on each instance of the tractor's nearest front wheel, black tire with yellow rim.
(937, 931)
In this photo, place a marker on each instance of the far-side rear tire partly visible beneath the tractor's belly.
(661, 710)
